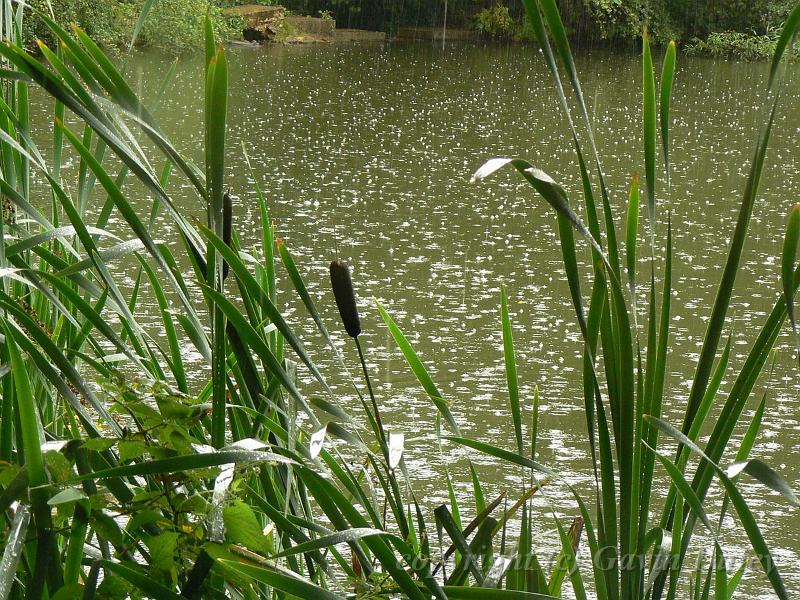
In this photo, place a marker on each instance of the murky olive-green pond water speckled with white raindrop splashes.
(367, 151)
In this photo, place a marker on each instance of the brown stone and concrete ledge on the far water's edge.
(271, 24)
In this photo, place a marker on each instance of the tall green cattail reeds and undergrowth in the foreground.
(118, 479)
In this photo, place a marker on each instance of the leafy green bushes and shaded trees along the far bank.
(742, 28)
